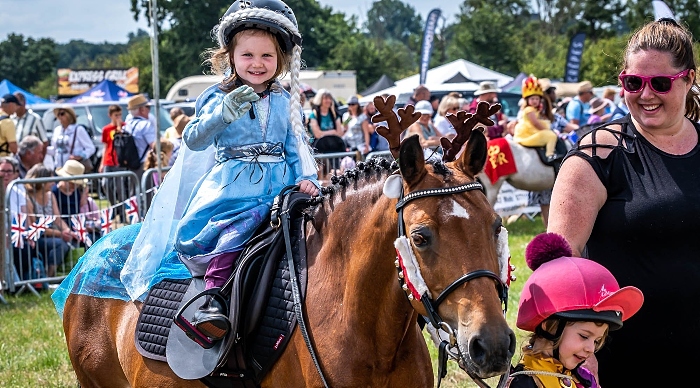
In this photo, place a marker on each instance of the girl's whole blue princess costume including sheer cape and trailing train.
(217, 193)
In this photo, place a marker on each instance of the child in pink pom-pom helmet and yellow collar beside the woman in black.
(569, 304)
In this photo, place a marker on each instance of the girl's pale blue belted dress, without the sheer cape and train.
(256, 156)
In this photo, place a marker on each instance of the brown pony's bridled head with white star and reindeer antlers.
(451, 246)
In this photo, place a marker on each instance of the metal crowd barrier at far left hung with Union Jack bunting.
(34, 260)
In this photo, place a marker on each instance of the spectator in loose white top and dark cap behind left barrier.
(70, 141)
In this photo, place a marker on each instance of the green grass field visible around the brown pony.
(32, 343)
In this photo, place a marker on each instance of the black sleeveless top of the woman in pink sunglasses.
(648, 235)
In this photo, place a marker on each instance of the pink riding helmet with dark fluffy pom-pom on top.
(571, 288)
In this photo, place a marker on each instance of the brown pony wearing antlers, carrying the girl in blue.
(362, 324)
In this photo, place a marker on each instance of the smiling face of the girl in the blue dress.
(255, 58)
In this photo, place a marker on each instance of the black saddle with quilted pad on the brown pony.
(261, 309)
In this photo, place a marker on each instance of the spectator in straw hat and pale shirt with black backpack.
(140, 127)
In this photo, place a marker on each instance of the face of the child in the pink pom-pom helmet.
(579, 341)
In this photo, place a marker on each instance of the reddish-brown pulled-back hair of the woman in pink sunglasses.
(666, 35)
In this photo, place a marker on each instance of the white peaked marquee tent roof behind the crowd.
(460, 75)
